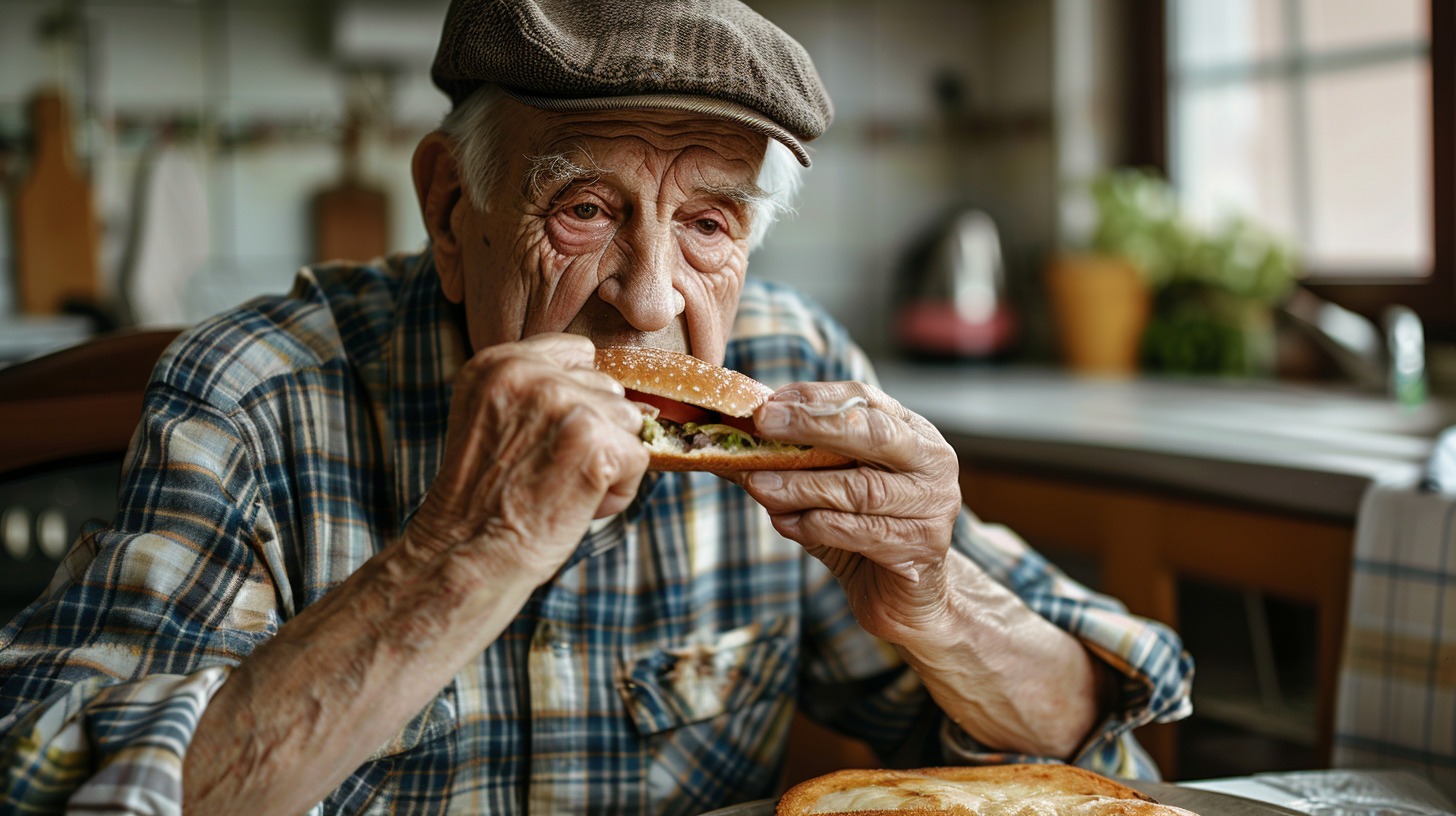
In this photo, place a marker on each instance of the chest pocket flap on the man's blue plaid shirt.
(678, 686)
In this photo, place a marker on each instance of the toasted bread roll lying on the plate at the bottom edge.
(1000, 790)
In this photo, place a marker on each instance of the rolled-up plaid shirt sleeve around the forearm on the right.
(860, 686)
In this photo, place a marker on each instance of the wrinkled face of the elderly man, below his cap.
(627, 228)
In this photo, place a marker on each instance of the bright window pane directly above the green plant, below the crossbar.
(1233, 155)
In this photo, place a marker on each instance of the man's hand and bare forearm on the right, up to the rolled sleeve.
(1004, 674)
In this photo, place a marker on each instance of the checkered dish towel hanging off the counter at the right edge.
(1397, 702)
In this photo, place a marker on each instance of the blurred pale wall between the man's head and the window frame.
(887, 170)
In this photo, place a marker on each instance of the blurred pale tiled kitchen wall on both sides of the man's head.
(892, 164)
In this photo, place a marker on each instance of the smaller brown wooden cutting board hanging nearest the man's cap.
(352, 218)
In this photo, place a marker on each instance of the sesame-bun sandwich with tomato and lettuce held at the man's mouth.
(700, 417)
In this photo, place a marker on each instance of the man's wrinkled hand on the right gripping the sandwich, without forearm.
(883, 527)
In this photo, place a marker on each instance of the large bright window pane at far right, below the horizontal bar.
(1371, 170)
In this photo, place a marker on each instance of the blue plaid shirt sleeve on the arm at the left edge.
(107, 675)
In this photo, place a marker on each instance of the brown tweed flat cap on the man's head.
(716, 58)
